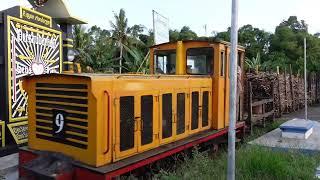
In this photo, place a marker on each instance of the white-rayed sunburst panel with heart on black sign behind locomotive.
(33, 51)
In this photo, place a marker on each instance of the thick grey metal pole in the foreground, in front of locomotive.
(233, 91)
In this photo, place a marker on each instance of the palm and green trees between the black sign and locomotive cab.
(102, 50)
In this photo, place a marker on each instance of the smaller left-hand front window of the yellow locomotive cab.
(165, 62)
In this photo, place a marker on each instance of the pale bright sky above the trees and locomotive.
(215, 14)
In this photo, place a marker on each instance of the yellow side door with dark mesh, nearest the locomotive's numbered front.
(126, 124)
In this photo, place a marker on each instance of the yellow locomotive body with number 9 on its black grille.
(100, 119)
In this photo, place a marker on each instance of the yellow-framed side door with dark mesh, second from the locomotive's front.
(148, 135)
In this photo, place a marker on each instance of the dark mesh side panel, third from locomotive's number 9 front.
(166, 115)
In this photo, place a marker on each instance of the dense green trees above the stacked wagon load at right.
(282, 48)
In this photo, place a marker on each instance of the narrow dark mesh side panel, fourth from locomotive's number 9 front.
(181, 97)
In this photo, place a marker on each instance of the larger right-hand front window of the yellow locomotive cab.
(199, 61)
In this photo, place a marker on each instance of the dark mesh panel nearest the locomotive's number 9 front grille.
(126, 123)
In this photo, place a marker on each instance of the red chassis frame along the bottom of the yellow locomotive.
(83, 172)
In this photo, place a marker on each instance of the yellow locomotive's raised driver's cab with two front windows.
(202, 58)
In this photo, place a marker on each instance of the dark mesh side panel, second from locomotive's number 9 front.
(147, 119)
